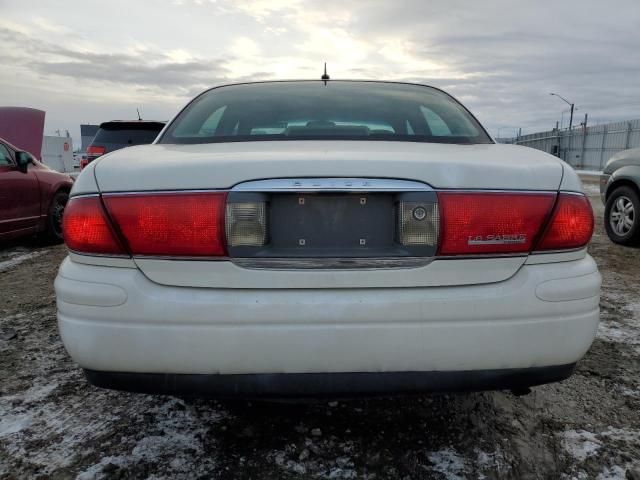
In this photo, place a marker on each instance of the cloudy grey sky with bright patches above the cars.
(86, 61)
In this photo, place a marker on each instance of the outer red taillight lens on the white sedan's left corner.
(86, 228)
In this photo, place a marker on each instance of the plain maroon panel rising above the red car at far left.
(23, 127)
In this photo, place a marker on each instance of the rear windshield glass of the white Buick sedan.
(339, 110)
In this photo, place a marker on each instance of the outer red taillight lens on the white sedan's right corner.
(571, 225)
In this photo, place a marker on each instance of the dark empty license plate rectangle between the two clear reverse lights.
(333, 225)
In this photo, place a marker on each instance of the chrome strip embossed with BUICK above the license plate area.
(333, 184)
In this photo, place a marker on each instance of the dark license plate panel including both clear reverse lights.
(324, 225)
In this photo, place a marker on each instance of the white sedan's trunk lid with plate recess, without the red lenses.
(322, 225)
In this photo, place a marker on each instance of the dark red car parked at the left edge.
(32, 196)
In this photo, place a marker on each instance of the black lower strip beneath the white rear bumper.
(301, 385)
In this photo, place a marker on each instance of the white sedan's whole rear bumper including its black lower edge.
(425, 338)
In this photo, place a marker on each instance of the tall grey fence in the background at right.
(586, 148)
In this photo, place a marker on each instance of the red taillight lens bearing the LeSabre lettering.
(485, 223)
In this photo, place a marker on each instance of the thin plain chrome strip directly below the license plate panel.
(331, 263)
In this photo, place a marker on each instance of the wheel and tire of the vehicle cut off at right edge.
(622, 216)
